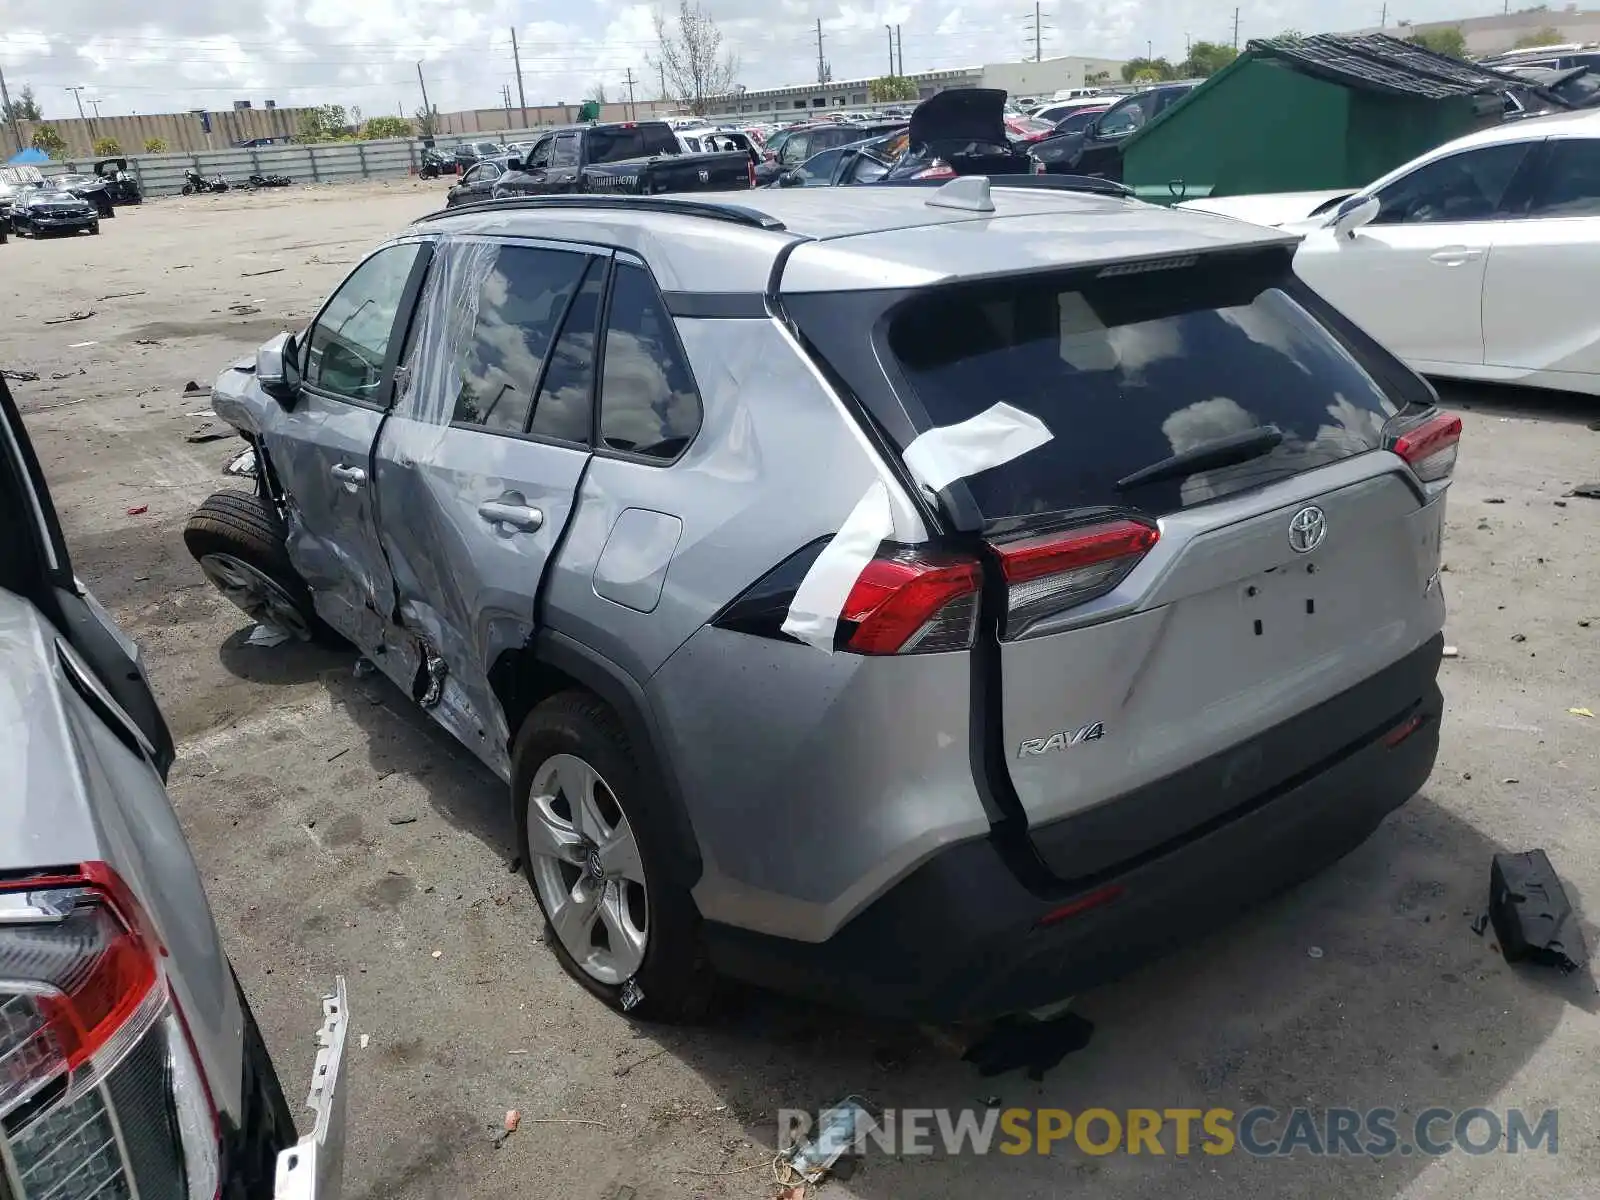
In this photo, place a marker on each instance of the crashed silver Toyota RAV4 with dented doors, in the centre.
(934, 601)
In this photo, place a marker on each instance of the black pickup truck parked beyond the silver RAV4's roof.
(630, 158)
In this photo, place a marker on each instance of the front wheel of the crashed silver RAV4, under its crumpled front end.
(239, 543)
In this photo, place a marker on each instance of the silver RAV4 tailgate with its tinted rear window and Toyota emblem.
(1142, 713)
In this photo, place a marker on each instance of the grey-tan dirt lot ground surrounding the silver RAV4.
(340, 833)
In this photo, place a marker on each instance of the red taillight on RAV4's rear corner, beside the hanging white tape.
(910, 604)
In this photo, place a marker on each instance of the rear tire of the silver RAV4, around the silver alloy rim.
(674, 975)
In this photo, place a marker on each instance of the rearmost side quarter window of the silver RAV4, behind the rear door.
(649, 404)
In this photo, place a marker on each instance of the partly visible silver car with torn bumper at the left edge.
(130, 1065)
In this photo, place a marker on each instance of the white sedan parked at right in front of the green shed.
(1476, 262)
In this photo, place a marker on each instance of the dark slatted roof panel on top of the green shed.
(1382, 63)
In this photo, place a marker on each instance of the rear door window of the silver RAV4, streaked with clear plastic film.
(506, 313)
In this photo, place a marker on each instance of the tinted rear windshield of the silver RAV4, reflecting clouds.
(1134, 370)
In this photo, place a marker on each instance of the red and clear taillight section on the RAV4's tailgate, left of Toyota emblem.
(1055, 572)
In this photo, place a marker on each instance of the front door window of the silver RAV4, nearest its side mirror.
(350, 343)
